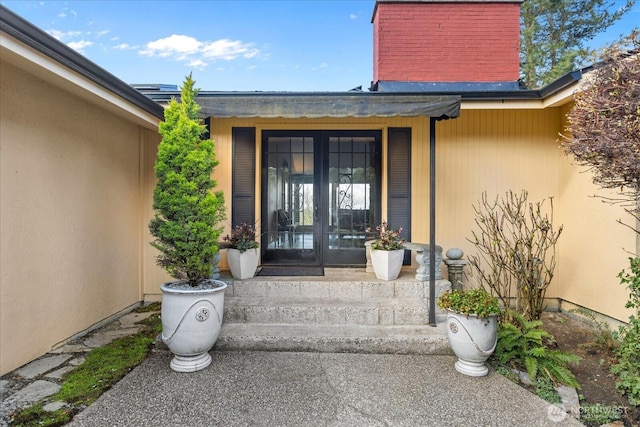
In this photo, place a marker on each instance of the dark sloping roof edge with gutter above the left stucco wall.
(32, 36)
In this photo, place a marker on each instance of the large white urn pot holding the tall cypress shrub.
(191, 322)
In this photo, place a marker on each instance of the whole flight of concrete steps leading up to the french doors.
(339, 312)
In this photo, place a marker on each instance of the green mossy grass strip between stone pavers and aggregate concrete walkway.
(103, 368)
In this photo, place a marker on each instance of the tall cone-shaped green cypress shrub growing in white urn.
(187, 209)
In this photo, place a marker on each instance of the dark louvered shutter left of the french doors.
(243, 190)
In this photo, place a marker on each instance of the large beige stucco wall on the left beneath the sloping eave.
(70, 214)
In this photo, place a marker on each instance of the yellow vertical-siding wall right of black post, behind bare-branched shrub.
(493, 151)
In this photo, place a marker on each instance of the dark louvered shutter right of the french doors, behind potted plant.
(399, 183)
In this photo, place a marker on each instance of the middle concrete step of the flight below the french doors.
(327, 311)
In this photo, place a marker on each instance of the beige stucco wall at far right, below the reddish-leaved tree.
(595, 248)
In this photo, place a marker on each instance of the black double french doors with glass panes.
(320, 194)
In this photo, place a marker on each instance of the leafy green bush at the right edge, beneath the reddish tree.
(627, 367)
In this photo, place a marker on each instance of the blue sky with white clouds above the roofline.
(303, 45)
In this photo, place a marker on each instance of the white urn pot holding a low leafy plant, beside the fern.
(473, 340)
